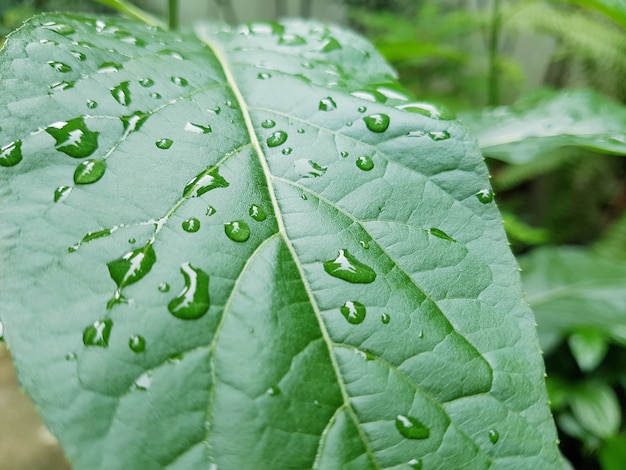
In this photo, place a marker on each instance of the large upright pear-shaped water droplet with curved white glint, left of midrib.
(193, 301)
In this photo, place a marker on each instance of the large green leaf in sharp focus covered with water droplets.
(244, 251)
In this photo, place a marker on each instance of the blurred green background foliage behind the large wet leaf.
(542, 85)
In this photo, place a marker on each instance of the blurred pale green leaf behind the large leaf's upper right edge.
(545, 121)
